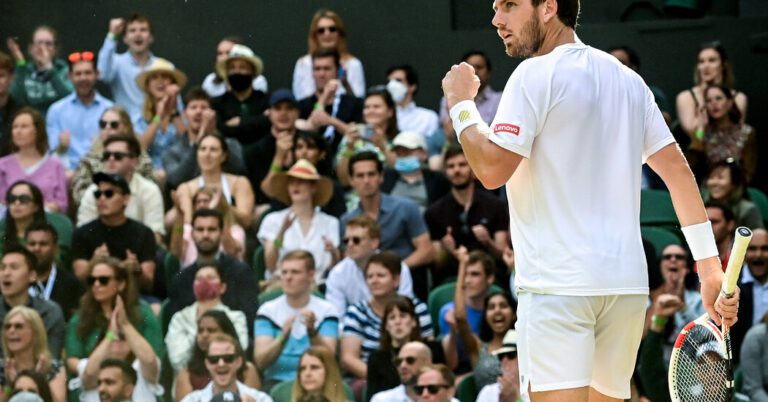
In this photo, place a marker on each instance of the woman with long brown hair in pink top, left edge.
(29, 160)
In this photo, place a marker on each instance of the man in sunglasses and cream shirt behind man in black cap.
(121, 157)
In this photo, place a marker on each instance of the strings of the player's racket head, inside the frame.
(703, 371)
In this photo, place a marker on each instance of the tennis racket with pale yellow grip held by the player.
(700, 368)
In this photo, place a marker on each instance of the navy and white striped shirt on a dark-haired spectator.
(362, 322)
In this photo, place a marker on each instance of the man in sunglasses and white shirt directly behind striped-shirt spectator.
(346, 283)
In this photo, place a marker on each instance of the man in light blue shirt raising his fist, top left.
(120, 70)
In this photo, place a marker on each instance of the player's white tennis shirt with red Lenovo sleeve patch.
(584, 124)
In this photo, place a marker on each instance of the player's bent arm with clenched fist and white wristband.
(492, 164)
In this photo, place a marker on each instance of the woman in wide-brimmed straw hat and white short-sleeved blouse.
(302, 225)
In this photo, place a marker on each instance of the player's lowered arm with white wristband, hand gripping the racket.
(670, 164)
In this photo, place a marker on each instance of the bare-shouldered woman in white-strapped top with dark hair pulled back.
(212, 154)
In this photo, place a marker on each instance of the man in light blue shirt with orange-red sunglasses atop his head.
(73, 121)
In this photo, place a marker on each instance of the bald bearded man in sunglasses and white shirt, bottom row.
(411, 358)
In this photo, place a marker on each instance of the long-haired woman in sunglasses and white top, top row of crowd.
(327, 30)
